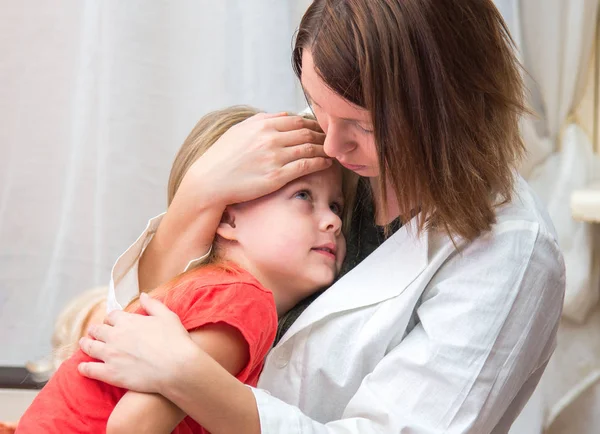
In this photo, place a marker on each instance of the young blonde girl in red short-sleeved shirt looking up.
(268, 254)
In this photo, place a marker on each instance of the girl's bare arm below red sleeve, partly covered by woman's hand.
(153, 413)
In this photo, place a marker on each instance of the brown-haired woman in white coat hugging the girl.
(446, 325)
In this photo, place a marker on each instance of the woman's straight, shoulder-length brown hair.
(443, 85)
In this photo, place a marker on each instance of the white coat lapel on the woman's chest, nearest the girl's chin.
(384, 274)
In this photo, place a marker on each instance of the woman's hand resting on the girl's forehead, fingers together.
(255, 158)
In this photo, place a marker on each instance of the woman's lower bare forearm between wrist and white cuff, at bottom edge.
(211, 396)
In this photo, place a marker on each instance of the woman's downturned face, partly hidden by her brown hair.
(348, 128)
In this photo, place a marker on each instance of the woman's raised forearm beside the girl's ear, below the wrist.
(184, 234)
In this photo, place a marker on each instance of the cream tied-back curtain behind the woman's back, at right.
(556, 40)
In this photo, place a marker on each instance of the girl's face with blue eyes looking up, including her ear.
(292, 239)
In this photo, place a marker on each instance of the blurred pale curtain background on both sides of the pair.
(96, 96)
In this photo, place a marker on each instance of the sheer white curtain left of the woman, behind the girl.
(96, 98)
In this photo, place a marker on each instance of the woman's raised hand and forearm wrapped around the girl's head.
(252, 159)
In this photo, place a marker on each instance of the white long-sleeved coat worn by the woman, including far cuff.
(420, 338)
